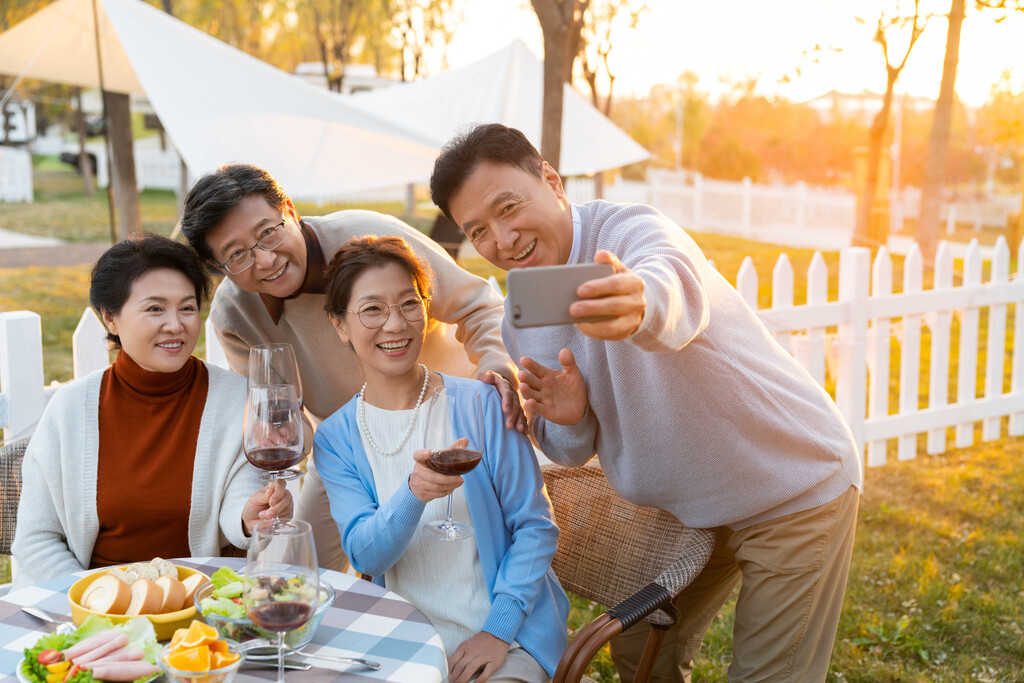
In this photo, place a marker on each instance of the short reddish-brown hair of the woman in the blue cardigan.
(366, 252)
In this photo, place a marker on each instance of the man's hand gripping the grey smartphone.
(620, 295)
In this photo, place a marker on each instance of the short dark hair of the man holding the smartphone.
(489, 142)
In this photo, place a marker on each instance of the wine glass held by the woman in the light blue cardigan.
(455, 438)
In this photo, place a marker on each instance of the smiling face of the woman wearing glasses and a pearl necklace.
(393, 351)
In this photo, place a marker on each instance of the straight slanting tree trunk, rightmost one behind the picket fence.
(938, 142)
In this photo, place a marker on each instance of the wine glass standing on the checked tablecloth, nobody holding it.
(281, 589)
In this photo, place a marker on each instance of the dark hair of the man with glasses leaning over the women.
(215, 195)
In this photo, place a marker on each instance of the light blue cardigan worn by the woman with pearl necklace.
(516, 535)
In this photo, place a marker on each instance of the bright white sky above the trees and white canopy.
(733, 40)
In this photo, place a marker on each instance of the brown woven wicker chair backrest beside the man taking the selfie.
(610, 548)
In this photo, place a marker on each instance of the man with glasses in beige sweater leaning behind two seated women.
(240, 221)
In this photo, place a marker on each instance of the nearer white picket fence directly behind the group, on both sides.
(849, 340)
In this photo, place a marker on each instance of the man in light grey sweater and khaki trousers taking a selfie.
(686, 398)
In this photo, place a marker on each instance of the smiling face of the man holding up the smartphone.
(515, 219)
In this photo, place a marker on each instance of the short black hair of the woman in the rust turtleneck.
(116, 272)
